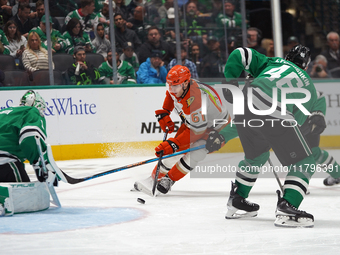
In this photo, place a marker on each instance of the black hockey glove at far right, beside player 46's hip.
(315, 124)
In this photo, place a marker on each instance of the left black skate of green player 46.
(237, 204)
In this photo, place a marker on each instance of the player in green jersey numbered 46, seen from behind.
(274, 77)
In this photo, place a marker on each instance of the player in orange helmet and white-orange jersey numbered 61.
(198, 106)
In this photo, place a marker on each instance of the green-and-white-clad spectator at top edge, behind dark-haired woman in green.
(85, 15)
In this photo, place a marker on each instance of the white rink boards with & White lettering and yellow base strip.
(104, 121)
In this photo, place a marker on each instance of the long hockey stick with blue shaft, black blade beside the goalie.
(66, 178)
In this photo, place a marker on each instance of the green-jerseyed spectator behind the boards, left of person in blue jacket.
(126, 73)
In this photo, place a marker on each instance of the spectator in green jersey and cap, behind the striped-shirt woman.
(58, 42)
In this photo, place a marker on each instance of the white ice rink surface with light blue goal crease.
(102, 216)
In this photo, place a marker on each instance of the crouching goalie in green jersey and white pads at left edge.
(21, 128)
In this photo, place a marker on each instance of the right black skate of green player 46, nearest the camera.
(289, 216)
